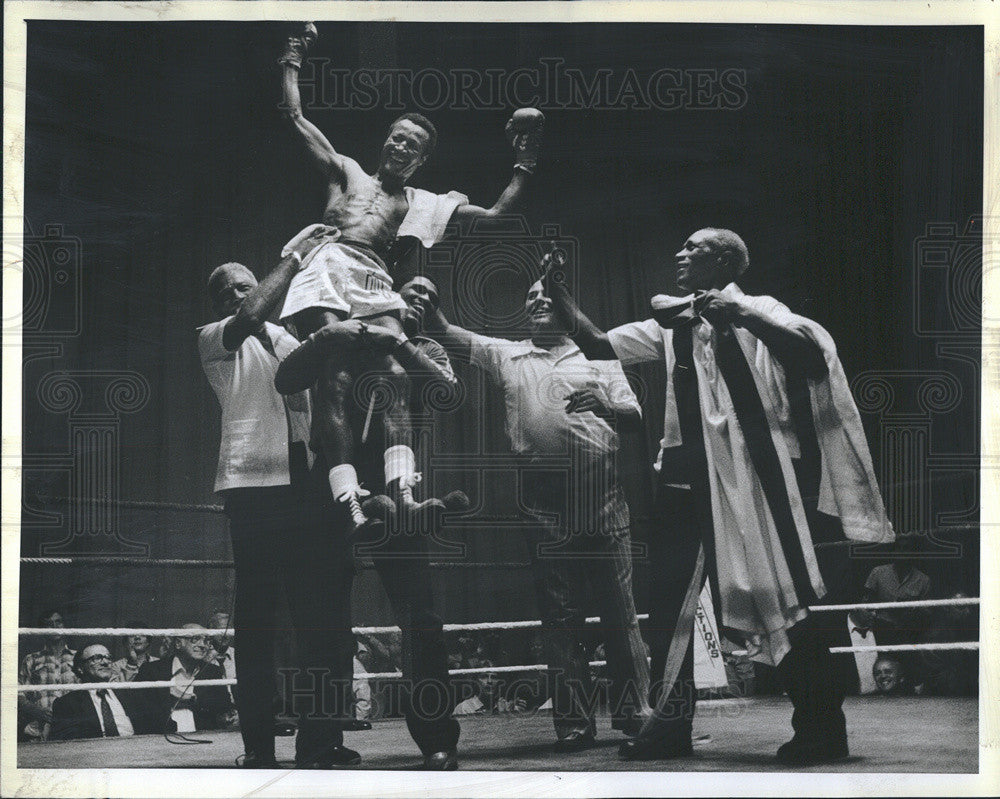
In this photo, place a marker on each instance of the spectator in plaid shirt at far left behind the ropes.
(52, 664)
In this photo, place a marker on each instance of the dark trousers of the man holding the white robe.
(808, 670)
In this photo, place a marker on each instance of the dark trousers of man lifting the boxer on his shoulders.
(403, 566)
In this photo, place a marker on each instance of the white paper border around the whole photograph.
(232, 782)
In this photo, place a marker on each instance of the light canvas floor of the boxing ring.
(905, 734)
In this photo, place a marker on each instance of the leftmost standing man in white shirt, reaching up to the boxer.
(279, 523)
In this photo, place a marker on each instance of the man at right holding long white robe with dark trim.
(750, 387)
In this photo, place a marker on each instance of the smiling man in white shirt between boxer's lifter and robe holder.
(559, 405)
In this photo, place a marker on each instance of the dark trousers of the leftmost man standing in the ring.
(281, 544)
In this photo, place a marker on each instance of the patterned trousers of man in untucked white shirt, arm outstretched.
(591, 569)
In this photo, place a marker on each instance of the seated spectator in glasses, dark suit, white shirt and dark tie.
(97, 713)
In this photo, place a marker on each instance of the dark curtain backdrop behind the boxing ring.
(160, 150)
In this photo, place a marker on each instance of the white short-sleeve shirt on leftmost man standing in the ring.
(257, 422)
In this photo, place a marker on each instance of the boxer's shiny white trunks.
(347, 278)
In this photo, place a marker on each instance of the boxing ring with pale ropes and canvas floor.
(917, 734)
